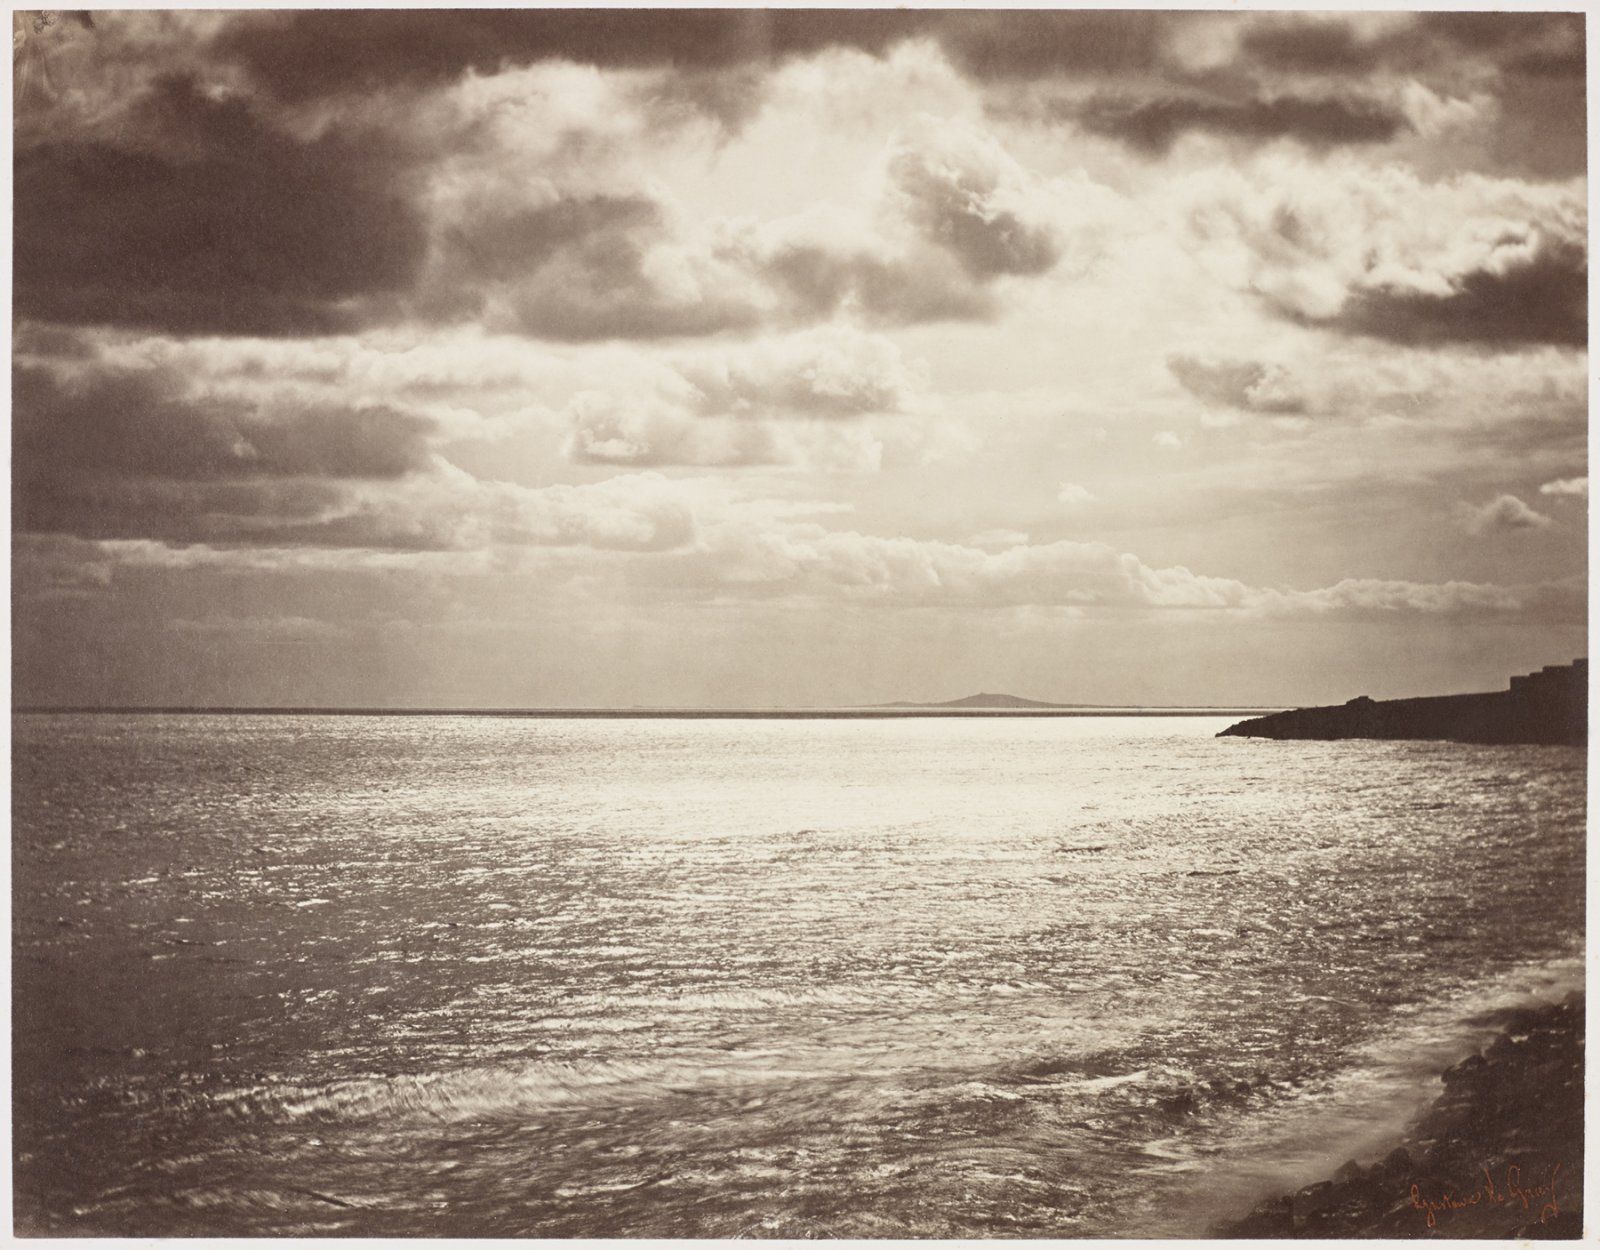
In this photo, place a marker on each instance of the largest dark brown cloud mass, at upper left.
(212, 222)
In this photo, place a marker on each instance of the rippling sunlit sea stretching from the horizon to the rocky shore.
(868, 979)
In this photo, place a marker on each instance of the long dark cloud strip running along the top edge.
(332, 52)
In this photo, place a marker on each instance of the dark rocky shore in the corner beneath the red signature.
(1500, 1153)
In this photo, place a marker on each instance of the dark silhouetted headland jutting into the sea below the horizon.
(1550, 708)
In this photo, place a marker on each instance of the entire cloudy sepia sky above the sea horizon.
(748, 359)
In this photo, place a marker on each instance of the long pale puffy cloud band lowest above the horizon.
(708, 542)
